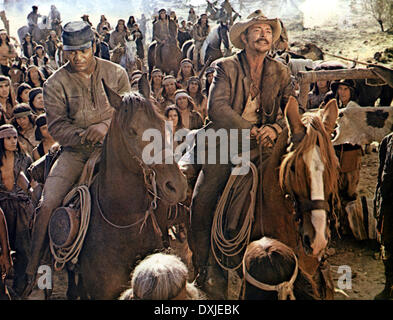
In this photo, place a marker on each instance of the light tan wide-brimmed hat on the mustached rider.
(239, 27)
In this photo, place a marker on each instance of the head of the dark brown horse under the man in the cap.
(135, 122)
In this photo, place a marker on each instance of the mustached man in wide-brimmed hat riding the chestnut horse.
(249, 91)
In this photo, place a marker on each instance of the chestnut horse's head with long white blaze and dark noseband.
(309, 172)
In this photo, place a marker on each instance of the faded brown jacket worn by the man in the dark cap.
(72, 107)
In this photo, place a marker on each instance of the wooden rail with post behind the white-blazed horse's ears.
(307, 77)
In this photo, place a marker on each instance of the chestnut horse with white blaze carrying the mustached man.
(298, 180)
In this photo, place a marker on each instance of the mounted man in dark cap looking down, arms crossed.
(79, 116)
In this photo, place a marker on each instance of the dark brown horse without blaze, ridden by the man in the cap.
(122, 225)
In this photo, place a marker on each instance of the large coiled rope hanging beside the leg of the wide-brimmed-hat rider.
(232, 247)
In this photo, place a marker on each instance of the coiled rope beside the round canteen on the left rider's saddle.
(71, 253)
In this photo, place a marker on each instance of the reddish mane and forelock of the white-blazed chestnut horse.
(315, 135)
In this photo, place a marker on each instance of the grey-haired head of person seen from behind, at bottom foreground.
(161, 277)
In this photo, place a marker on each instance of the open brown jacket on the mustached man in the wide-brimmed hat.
(231, 88)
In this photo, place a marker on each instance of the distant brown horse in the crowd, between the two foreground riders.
(164, 56)
